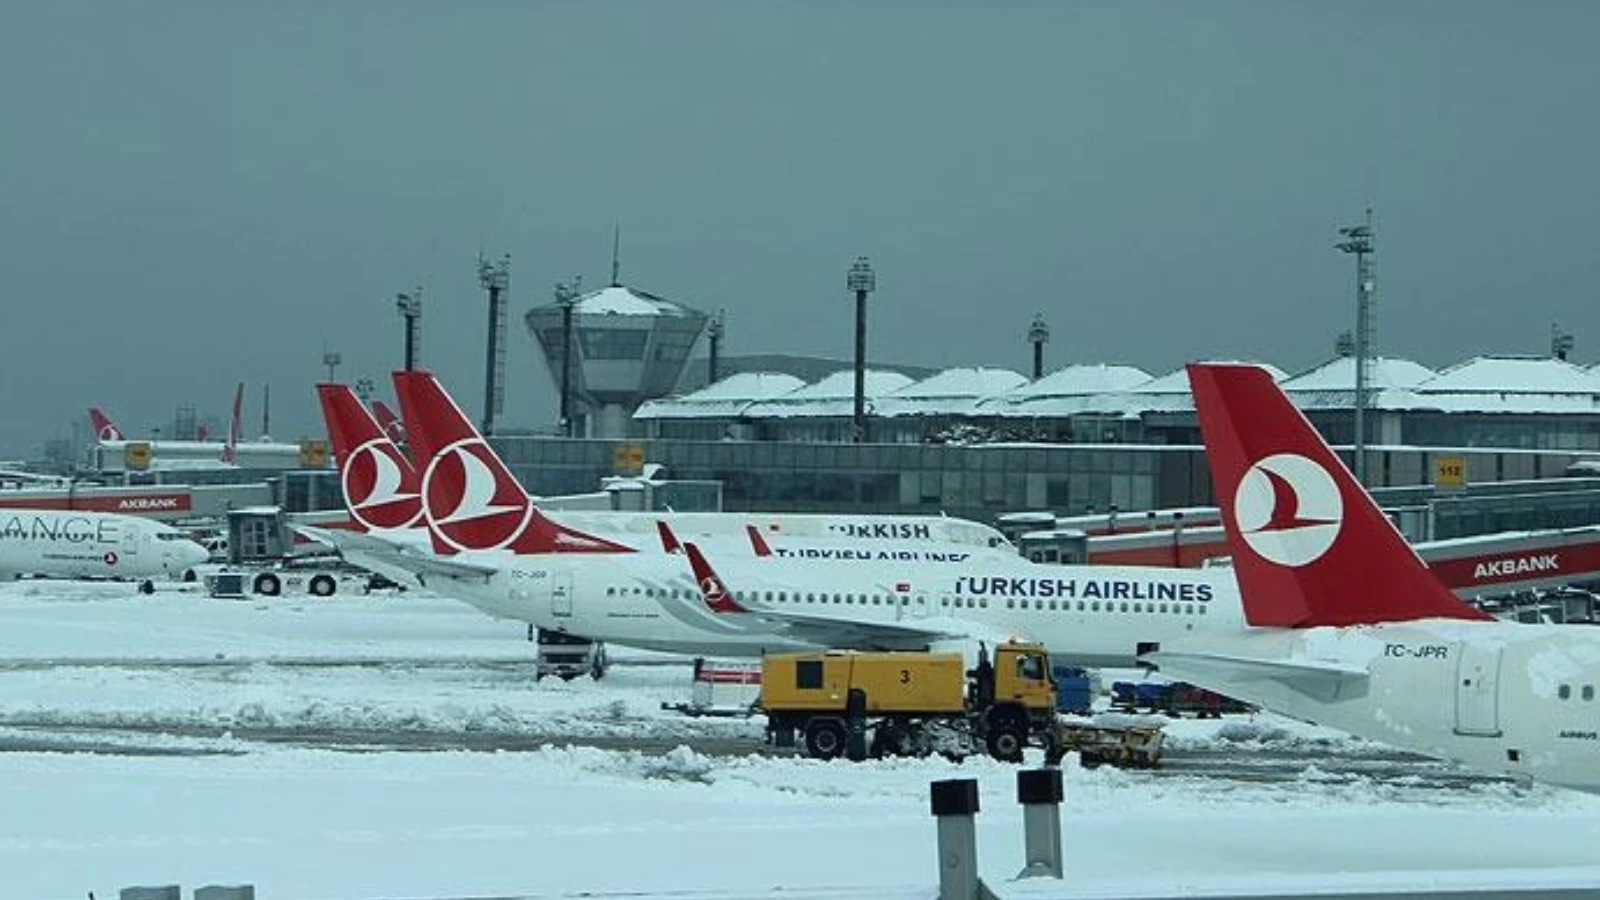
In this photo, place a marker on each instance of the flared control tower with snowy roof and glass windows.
(628, 347)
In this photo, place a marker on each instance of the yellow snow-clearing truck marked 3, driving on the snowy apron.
(911, 704)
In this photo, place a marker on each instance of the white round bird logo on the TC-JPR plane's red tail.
(1289, 510)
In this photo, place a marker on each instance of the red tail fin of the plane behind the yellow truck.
(470, 497)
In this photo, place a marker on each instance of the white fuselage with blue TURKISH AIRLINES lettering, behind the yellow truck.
(1092, 616)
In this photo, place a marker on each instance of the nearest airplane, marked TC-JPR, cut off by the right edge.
(1348, 627)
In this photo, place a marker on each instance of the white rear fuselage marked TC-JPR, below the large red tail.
(1500, 697)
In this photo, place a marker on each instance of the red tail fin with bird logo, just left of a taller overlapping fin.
(382, 489)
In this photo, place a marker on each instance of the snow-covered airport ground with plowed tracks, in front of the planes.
(210, 742)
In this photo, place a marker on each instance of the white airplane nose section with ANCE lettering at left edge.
(74, 544)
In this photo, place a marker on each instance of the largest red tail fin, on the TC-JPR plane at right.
(1310, 545)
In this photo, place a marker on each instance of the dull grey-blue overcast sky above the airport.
(198, 195)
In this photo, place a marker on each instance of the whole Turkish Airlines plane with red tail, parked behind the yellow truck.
(490, 547)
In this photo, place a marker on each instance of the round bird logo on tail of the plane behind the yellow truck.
(465, 502)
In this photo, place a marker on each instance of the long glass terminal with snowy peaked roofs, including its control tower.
(980, 443)
